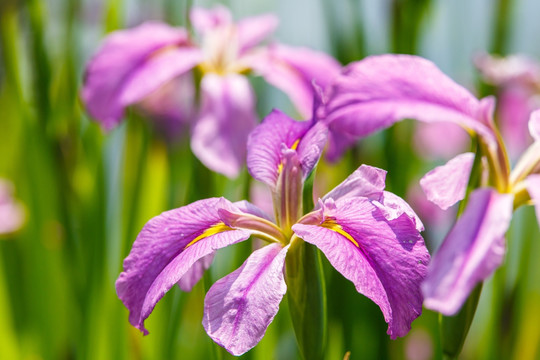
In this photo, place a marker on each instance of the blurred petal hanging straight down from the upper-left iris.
(226, 118)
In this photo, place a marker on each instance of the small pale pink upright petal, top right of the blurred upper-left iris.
(253, 30)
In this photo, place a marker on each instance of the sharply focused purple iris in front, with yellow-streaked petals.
(372, 237)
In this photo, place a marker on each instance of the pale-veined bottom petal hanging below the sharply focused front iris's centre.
(239, 307)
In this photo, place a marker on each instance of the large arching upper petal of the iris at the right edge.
(374, 93)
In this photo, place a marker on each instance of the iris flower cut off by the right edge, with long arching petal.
(375, 93)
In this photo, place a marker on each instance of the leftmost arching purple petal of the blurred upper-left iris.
(123, 53)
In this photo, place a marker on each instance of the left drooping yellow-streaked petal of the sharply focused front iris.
(160, 256)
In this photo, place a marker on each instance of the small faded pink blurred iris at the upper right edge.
(517, 79)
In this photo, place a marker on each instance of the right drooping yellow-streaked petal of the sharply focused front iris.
(386, 260)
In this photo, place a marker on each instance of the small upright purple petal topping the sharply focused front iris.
(265, 150)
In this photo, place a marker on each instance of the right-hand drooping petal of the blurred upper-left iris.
(294, 69)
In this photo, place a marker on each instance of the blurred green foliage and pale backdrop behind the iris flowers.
(81, 195)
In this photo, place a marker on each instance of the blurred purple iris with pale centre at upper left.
(151, 66)
